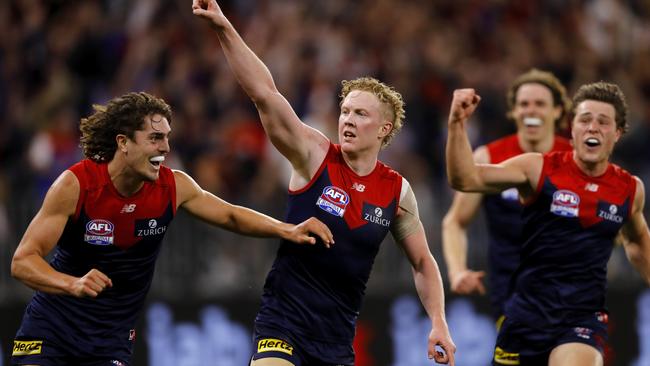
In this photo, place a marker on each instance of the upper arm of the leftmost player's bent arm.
(46, 227)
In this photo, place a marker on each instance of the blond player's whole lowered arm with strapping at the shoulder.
(409, 234)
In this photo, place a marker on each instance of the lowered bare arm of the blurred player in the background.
(462, 211)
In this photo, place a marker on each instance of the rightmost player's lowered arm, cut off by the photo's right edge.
(636, 236)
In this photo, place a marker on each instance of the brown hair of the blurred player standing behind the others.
(547, 79)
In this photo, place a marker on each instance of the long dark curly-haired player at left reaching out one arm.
(107, 216)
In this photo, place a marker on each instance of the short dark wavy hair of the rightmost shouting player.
(606, 93)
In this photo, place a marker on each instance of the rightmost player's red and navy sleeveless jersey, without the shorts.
(569, 237)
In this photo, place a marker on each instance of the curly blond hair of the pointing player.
(387, 95)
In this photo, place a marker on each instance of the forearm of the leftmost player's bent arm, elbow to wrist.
(35, 272)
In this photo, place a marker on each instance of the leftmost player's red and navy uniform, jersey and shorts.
(120, 237)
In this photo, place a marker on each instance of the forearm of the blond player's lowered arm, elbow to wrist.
(428, 284)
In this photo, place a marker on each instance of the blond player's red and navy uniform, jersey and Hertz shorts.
(312, 295)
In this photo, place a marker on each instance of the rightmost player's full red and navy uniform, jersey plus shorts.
(559, 288)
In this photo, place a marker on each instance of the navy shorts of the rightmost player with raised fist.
(518, 344)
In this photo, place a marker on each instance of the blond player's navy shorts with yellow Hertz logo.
(273, 342)
